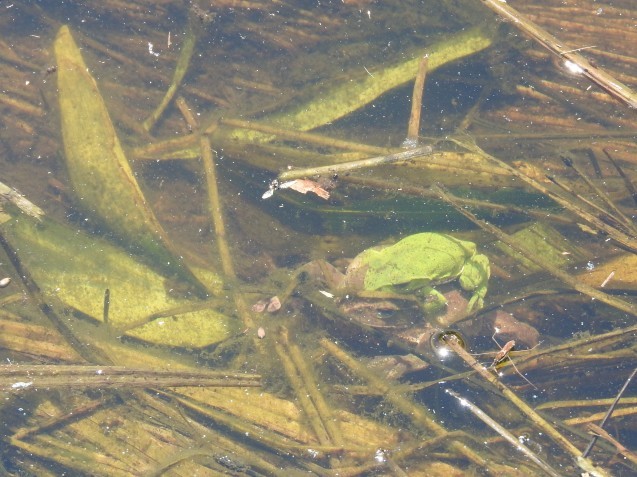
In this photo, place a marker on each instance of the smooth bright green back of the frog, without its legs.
(424, 259)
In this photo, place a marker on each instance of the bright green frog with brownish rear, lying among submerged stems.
(412, 266)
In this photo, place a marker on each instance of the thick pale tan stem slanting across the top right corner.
(604, 80)
